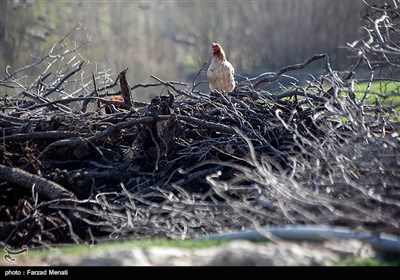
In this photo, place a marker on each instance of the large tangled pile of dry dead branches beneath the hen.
(190, 163)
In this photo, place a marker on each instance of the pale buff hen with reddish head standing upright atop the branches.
(220, 73)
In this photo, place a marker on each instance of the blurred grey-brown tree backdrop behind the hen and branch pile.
(171, 39)
